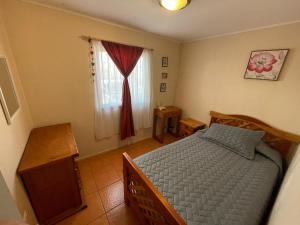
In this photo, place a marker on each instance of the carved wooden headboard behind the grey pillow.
(275, 138)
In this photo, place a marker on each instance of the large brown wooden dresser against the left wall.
(50, 174)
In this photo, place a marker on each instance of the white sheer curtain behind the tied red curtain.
(108, 92)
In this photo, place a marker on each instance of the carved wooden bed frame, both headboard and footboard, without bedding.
(152, 208)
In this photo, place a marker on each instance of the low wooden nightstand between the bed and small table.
(189, 126)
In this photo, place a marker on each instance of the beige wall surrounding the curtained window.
(54, 66)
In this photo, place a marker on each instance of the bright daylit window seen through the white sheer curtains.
(111, 80)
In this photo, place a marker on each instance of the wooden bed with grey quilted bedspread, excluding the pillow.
(195, 181)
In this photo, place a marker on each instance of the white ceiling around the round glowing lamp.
(201, 19)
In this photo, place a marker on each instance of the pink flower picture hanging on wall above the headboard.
(265, 65)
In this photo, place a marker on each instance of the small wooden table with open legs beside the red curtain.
(165, 115)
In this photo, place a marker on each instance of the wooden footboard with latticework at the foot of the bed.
(149, 205)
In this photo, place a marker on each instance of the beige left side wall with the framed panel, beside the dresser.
(13, 138)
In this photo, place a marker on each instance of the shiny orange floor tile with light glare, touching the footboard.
(112, 195)
